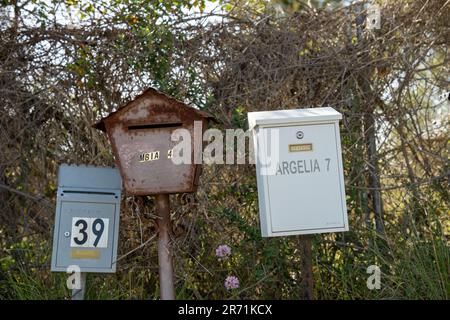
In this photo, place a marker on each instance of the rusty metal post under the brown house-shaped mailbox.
(163, 223)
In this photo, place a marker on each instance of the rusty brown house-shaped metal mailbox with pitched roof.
(140, 133)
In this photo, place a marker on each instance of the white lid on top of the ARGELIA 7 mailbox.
(292, 116)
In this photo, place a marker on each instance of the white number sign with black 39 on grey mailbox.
(89, 232)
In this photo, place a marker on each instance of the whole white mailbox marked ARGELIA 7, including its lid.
(299, 171)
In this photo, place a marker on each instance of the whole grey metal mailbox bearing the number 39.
(87, 219)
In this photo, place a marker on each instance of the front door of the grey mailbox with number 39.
(86, 232)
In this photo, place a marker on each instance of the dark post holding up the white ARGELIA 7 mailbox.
(306, 285)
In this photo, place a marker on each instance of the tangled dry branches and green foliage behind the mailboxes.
(65, 64)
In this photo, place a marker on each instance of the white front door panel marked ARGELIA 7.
(306, 194)
